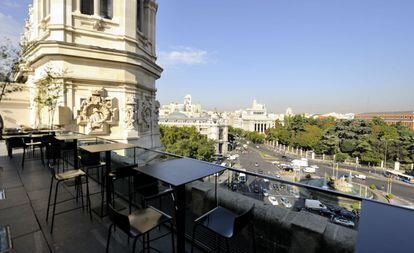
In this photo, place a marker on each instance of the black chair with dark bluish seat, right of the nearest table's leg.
(225, 224)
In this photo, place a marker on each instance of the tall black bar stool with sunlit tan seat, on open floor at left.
(59, 177)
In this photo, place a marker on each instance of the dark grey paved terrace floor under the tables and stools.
(24, 210)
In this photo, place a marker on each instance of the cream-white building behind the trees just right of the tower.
(210, 124)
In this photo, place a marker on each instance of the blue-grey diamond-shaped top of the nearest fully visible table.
(180, 171)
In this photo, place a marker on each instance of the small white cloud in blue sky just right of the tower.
(183, 56)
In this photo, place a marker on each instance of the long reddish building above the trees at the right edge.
(406, 118)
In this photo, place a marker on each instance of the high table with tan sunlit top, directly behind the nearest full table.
(107, 148)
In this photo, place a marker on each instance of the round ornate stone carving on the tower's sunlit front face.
(97, 113)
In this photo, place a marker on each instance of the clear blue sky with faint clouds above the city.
(315, 56)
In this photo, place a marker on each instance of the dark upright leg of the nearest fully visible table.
(180, 218)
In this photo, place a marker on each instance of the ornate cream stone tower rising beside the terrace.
(105, 50)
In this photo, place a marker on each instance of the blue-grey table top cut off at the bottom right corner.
(384, 228)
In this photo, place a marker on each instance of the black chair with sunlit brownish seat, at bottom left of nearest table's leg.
(140, 223)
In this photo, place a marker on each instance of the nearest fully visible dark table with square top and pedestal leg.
(178, 173)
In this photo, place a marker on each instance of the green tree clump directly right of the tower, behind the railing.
(187, 141)
